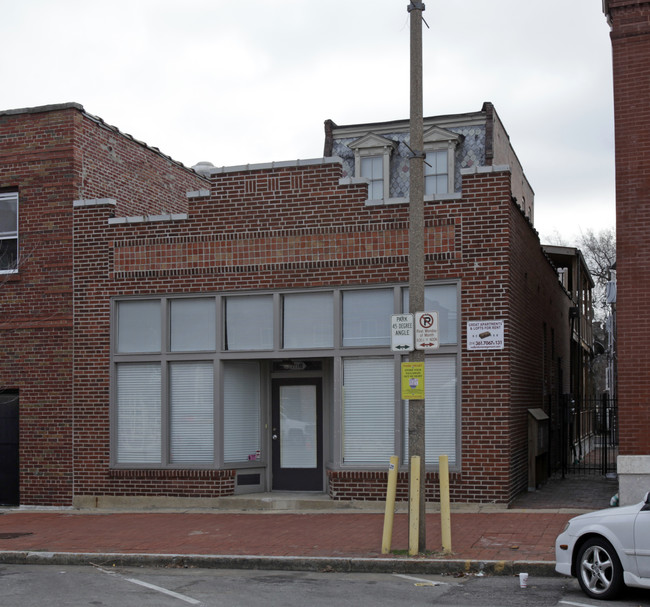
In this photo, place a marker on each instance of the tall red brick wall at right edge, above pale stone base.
(631, 67)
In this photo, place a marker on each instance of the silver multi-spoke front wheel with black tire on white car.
(599, 569)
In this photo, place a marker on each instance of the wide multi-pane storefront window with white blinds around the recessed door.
(168, 410)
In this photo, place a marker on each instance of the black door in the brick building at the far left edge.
(9, 449)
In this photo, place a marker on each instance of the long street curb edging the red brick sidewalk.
(283, 563)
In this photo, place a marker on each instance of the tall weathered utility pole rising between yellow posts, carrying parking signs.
(416, 247)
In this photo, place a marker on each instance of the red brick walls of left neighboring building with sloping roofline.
(53, 157)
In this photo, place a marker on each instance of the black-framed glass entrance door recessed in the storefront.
(297, 424)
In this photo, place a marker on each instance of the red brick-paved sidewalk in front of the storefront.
(493, 541)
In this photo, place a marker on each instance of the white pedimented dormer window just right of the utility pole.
(440, 149)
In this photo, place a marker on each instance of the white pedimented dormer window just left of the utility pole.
(372, 162)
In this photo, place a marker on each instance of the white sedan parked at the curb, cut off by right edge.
(607, 549)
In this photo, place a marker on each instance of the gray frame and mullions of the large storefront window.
(335, 355)
